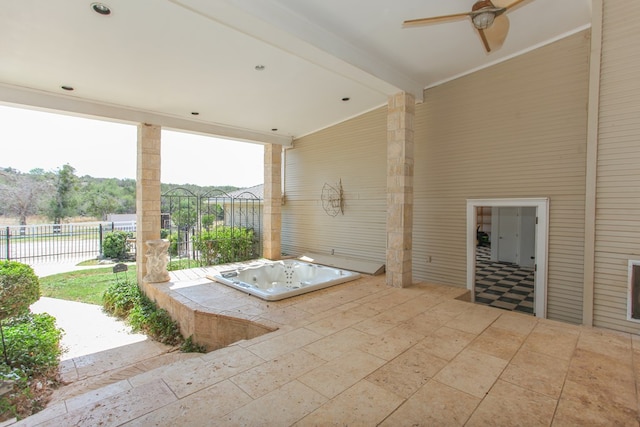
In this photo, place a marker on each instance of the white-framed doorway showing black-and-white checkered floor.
(507, 253)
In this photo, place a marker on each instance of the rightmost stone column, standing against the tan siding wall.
(401, 110)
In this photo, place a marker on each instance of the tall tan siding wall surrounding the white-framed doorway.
(515, 130)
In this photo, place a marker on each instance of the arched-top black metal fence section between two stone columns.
(212, 228)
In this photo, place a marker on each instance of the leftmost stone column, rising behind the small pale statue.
(147, 193)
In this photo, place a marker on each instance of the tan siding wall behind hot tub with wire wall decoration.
(354, 153)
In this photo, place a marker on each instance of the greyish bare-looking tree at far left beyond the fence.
(22, 194)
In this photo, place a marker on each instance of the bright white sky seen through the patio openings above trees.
(31, 139)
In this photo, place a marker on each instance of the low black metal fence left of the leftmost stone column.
(53, 242)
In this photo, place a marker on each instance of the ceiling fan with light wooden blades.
(487, 18)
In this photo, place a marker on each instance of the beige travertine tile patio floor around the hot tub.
(364, 354)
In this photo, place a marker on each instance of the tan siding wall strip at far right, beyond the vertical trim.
(618, 171)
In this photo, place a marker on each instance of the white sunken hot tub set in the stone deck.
(283, 279)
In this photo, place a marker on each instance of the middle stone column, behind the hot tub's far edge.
(272, 213)
